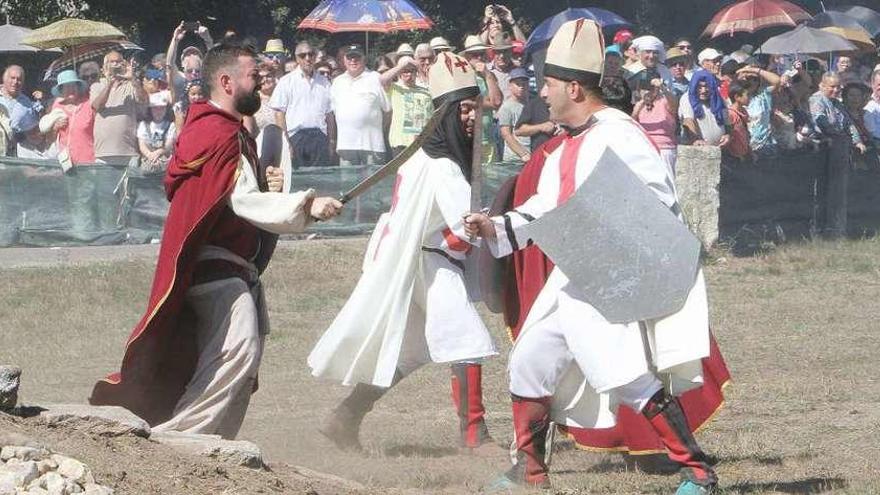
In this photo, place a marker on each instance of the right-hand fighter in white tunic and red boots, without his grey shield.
(569, 362)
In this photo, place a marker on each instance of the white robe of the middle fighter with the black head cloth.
(411, 305)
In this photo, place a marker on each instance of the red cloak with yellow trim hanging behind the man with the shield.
(528, 270)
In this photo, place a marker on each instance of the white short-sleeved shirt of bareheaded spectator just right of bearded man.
(305, 102)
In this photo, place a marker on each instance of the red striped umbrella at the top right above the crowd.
(753, 15)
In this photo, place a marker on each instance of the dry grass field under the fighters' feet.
(798, 326)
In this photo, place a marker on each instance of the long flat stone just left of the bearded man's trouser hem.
(108, 421)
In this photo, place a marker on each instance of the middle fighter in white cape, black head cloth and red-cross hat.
(411, 306)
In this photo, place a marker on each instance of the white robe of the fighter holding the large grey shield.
(617, 354)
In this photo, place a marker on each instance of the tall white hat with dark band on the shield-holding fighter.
(576, 50)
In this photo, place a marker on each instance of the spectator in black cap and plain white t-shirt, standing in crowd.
(361, 107)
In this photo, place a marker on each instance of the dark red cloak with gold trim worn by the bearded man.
(160, 354)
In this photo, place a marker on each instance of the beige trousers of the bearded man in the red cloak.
(230, 318)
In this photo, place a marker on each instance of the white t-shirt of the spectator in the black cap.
(358, 104)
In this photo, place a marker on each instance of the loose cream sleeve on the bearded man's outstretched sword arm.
(278, 213)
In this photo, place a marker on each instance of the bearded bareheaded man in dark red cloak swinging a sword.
(191, 363)
